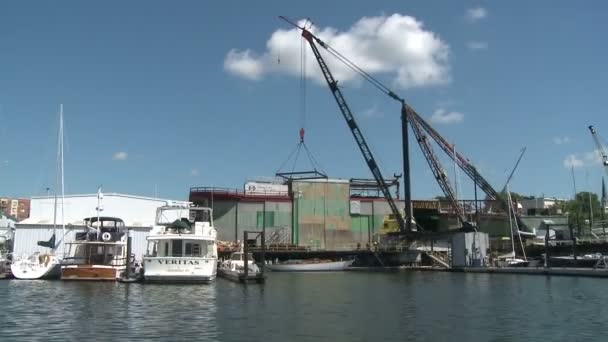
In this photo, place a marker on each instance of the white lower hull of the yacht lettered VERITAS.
(179, 269)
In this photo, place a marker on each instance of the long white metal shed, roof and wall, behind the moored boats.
(137, 212)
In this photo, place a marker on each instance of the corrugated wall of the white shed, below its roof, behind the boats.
(28, 235)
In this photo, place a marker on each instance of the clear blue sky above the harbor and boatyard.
(151, 79)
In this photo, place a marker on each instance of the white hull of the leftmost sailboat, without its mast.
(36, 266)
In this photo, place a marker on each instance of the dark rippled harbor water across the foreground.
(346, 306)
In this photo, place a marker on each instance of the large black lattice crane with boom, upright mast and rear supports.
(420, 128)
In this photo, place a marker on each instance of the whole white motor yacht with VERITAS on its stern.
(182, 246)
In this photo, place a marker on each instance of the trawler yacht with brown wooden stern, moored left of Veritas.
(99, 253)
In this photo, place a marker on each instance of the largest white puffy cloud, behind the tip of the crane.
(397, 45)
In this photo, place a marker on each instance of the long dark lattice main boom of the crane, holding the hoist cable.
(352, 125)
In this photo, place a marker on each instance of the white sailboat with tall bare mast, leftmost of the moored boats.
(46, 265)
